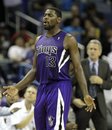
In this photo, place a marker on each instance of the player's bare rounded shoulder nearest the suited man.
(69, 41)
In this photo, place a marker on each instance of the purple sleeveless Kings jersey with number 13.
(53, 59)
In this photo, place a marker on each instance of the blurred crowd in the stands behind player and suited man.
(20, 23)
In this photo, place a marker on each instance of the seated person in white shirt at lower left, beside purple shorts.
(23, 119)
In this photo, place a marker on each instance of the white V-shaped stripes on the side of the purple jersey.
(61, 64)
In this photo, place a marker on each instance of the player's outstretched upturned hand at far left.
(10, 91)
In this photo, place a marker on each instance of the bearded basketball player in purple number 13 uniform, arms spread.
(53, 51)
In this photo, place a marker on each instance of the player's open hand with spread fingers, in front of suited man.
(90, 103)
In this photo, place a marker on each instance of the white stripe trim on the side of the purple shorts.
(58, 112)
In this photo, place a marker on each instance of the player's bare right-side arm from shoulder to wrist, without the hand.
(71, 45)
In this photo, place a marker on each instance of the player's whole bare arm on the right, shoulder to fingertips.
(70, 44)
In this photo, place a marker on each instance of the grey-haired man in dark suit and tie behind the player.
(97, 82)
